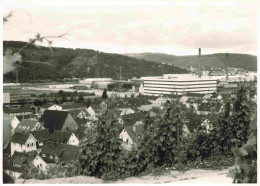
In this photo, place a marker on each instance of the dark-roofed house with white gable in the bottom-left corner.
(20, 161)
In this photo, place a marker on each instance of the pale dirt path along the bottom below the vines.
(191, 176)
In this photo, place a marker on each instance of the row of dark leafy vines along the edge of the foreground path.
(164, 147)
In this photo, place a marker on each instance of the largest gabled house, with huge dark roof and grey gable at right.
(58, 120)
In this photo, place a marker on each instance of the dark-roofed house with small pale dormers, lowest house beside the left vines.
(58, 152)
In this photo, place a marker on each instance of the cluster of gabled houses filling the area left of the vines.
(45, 138)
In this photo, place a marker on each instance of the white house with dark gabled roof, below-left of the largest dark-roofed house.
(23, 142)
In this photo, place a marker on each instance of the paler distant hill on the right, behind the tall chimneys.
(244, 61)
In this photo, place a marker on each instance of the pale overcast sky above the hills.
(135, 27)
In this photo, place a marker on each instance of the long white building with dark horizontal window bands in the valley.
(178, 84)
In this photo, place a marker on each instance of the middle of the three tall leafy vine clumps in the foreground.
(161, 140)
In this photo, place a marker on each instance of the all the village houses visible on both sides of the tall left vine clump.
(50, 134)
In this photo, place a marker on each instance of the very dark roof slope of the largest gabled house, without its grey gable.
(54, 119)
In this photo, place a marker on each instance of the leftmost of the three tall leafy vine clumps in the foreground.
(100, 157)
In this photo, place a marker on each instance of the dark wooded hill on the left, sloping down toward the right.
(39, 64)
